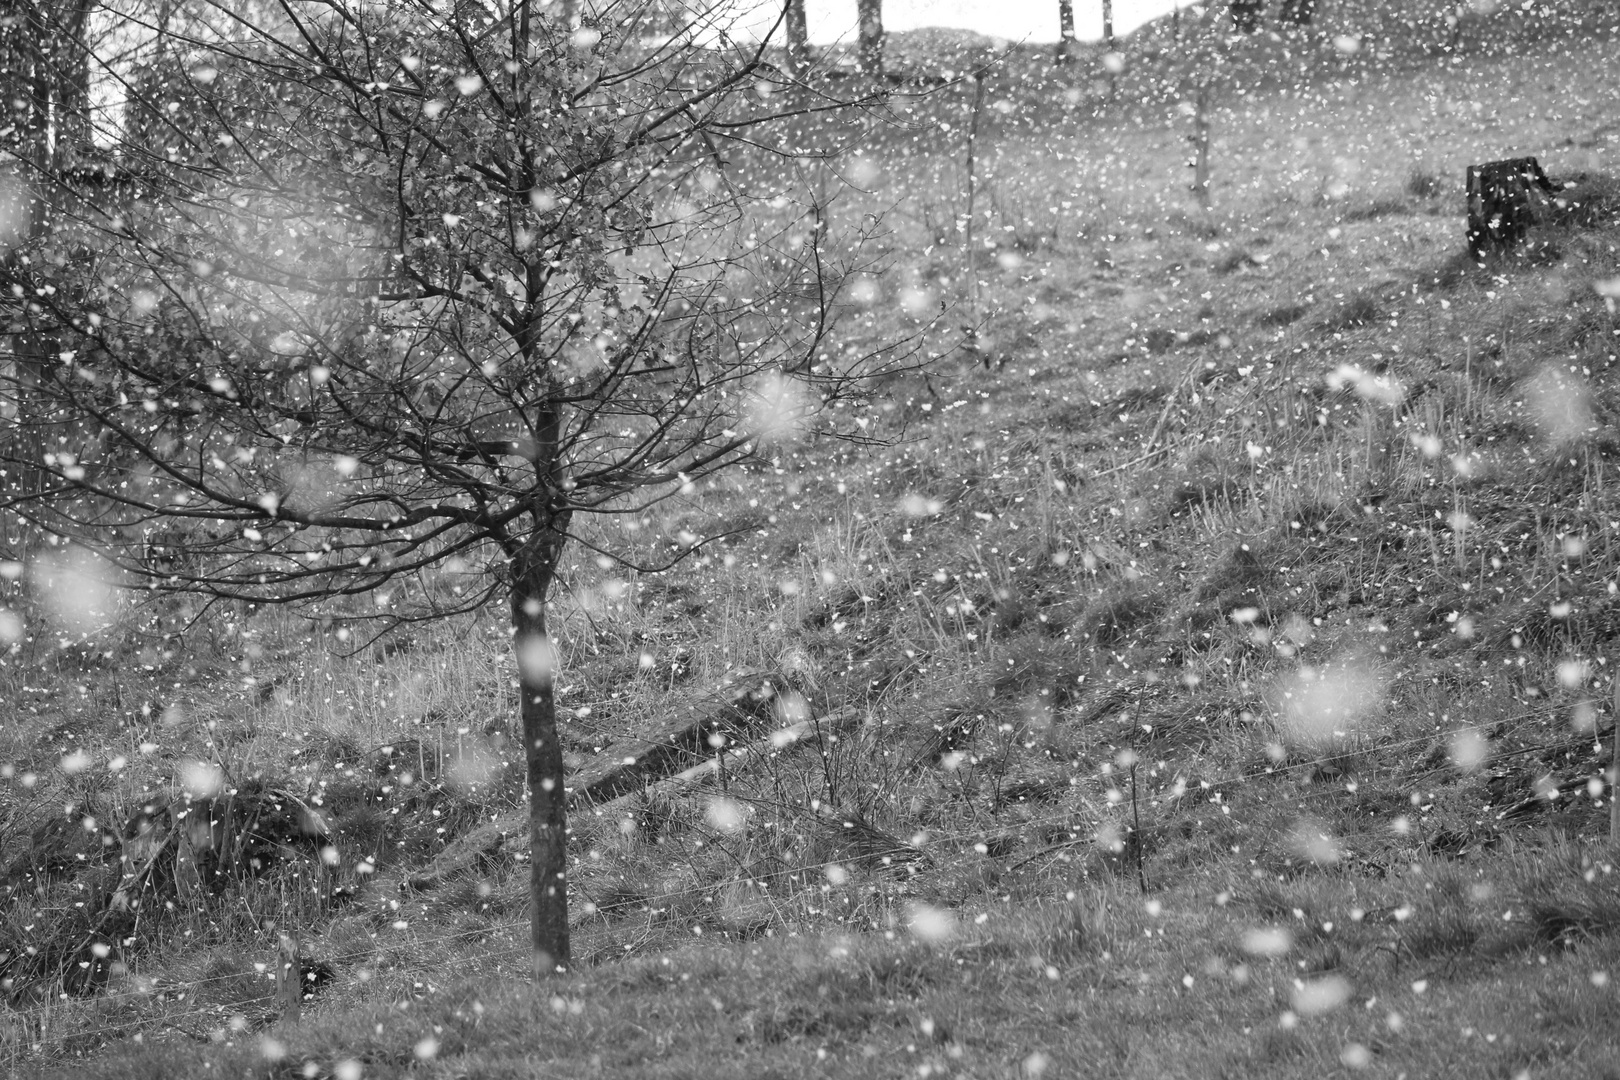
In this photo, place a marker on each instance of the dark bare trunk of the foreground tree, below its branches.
(534, 569)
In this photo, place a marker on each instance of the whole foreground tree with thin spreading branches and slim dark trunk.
(412, 292)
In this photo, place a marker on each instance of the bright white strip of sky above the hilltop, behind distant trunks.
(1017, 20)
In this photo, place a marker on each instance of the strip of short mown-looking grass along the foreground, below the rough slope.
(1422, 972)
